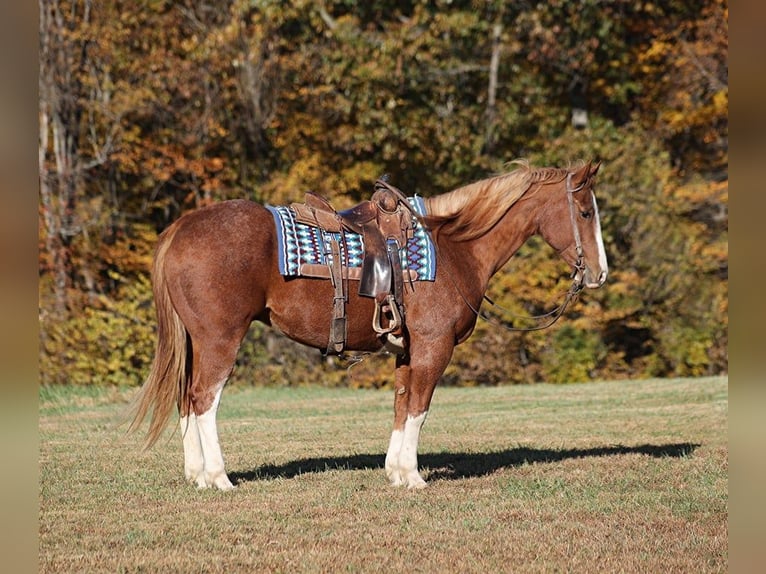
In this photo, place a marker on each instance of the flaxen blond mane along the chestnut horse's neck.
(472, 210)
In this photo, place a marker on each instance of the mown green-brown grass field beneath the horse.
(600, 477)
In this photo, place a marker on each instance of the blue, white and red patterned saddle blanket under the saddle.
(299, 244)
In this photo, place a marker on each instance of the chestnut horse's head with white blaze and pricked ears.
(571, 225)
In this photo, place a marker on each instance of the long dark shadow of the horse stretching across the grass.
(458, 465)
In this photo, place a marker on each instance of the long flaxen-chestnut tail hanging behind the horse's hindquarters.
(167, 383)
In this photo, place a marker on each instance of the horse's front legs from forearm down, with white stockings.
(414, 387)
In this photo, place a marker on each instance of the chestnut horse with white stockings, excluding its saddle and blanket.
(215, 271)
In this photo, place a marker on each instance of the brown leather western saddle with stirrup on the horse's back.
(385, 222)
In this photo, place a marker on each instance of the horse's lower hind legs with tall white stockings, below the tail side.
(203, 459)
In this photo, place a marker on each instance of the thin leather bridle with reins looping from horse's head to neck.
(572, 292)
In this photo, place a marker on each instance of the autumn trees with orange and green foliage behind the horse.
(151, 109)
